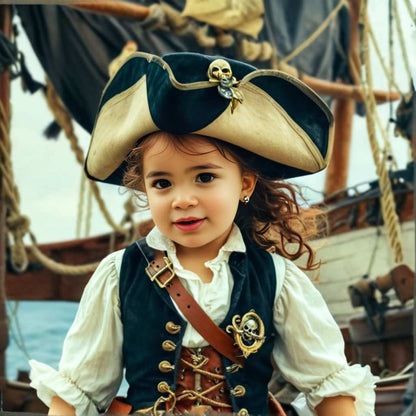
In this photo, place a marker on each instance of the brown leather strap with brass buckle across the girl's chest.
(160, 271)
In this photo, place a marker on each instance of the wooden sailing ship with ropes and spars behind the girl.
(368, 254)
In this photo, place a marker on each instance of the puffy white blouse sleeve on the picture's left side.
(90, 370)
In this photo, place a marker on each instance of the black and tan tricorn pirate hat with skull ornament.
(283, 128)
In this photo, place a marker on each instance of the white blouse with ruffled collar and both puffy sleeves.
(309, 349)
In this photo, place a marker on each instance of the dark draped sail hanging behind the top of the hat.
(75, 47)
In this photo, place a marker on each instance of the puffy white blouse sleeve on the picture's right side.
(309, 348)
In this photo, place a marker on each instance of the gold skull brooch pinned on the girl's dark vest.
(248, 332)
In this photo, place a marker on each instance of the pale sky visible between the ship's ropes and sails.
(48, 176)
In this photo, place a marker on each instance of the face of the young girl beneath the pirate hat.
(193, 197)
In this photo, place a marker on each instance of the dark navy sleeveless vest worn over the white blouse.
(146, 309)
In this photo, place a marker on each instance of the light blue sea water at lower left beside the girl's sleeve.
(37, 331)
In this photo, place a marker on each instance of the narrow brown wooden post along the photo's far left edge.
(5, 22)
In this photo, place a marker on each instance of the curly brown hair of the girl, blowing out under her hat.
(274, 219)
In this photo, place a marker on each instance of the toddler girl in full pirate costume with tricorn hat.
(196, 312)
